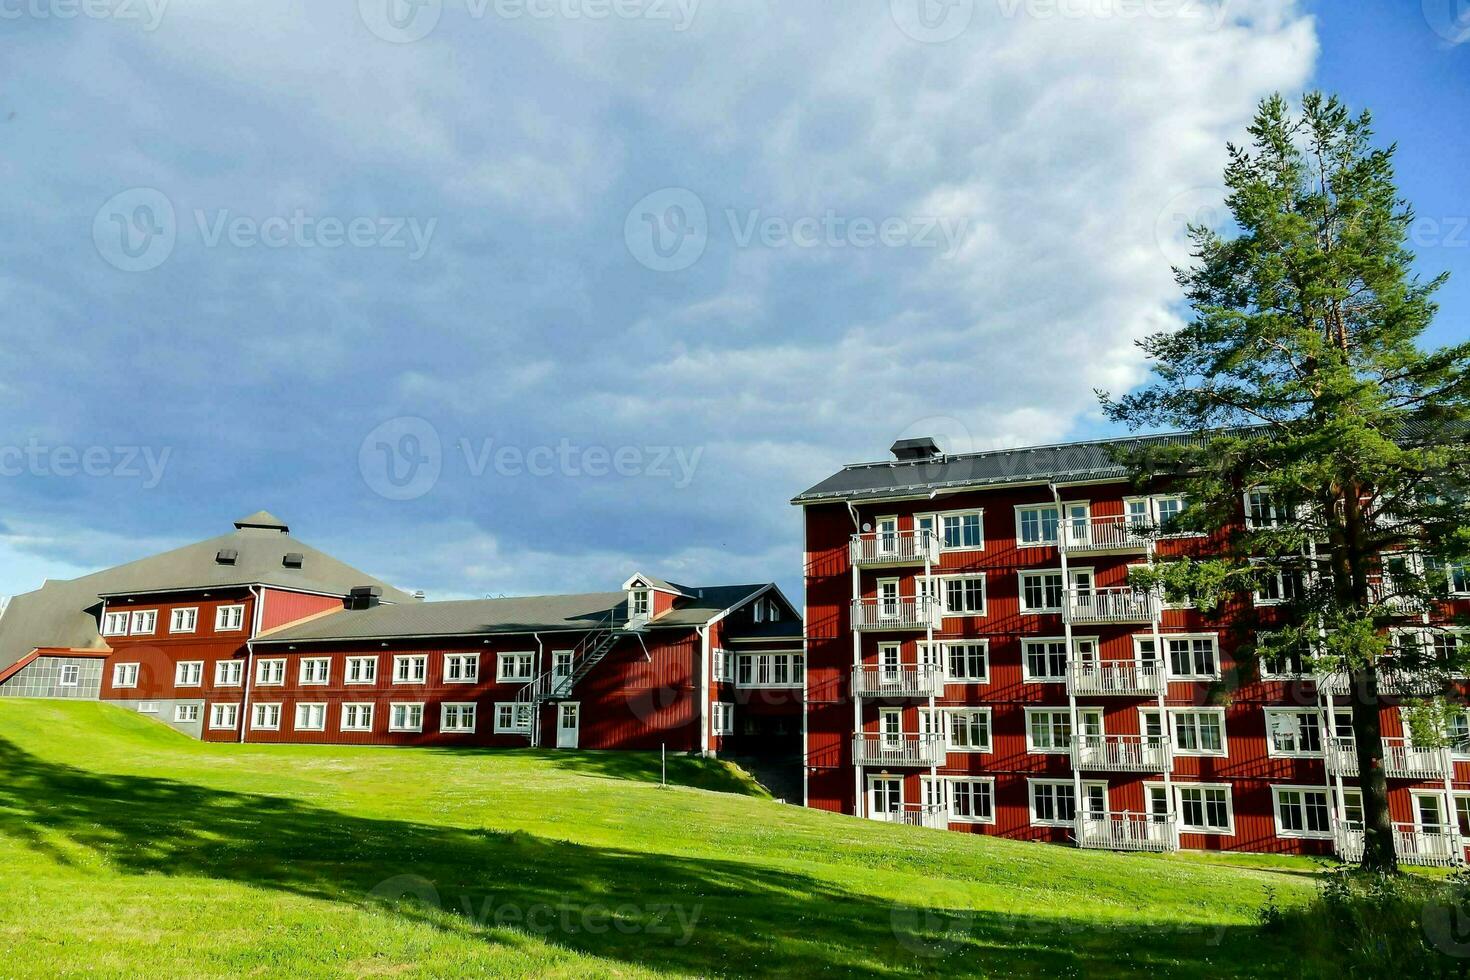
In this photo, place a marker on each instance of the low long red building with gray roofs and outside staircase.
(255, 637)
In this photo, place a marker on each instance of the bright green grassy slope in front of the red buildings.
(129, 849)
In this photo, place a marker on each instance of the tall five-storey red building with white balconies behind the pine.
(978, 662)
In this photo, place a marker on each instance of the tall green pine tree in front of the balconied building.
(1321, 414)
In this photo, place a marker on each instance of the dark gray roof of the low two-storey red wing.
(526, 615)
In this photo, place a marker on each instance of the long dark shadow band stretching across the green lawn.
(648, 910)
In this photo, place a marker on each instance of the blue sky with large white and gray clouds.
(515, 296)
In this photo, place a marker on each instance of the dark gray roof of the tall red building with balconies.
(1034, 465)
